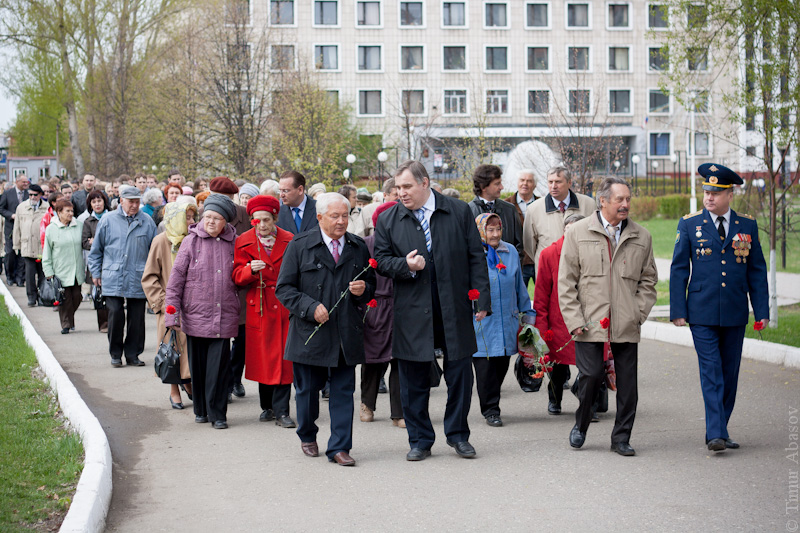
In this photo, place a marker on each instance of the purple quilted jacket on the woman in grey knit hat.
(201, 286)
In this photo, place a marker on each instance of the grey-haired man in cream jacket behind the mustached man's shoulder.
(544, 218)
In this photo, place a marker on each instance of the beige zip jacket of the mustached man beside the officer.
(593, 284)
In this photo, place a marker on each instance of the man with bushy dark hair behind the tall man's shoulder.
(487, 184)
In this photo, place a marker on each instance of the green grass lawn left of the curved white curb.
(40, 461)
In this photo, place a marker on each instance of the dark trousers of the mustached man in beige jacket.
(589, 359)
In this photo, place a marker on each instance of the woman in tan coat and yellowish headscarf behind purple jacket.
(163, 250)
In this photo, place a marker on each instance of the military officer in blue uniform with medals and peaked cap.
(727, 265)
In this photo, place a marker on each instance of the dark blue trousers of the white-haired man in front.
(308, 382)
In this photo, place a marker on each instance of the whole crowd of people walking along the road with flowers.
(285, 284)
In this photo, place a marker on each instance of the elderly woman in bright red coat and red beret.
(257, 261)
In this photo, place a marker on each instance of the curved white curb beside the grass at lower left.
(93, 493)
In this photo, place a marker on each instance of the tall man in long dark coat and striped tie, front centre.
(429, 245)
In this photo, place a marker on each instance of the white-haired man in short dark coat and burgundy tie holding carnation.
(333, 351)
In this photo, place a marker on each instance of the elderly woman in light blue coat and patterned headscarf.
(497, 333)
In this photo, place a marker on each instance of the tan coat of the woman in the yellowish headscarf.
(154, 282)
